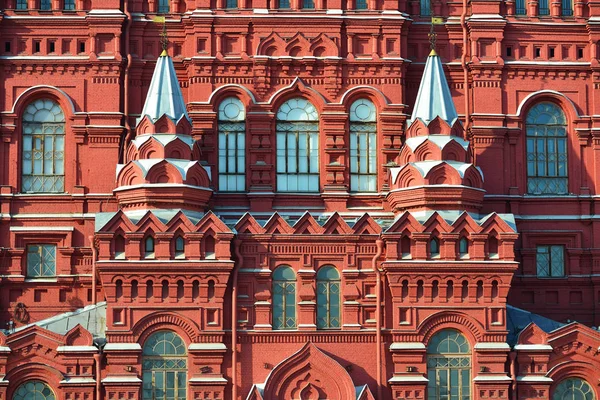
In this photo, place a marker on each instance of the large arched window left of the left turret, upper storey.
(43, 147)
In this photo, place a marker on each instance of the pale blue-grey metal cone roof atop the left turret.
(164, 95)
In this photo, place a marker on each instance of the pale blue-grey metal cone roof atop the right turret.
(434, 98)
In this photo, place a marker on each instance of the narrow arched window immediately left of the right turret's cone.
(363, 146)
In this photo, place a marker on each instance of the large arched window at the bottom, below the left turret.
(164, 367)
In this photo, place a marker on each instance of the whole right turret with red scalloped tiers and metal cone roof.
(436, 172)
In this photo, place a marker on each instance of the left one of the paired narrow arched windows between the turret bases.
(284, 298)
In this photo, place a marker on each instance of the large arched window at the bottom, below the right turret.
(448, 366)
